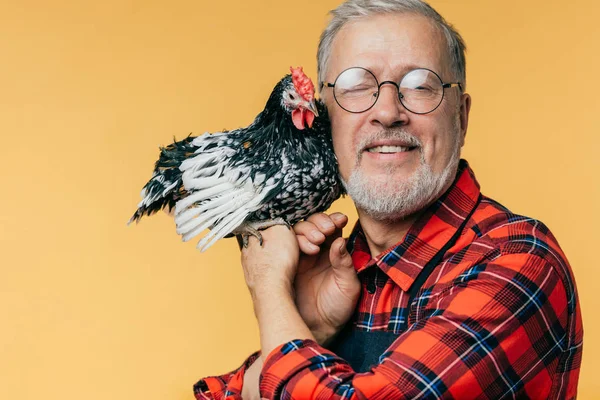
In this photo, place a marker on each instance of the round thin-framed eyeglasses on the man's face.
(420, 91)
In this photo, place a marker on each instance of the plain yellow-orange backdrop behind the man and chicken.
(91, 308)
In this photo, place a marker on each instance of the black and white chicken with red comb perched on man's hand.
(278, 170)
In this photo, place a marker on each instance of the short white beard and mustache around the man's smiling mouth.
(384, 199)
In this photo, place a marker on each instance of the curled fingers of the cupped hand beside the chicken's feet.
(315, 230)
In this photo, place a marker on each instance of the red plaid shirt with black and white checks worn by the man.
(497, 317)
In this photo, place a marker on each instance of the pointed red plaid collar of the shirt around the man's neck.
(428, 234)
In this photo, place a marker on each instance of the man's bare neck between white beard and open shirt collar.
(381, 235)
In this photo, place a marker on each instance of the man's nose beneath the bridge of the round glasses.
(388, 110)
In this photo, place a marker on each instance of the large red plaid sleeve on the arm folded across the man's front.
(498, 330)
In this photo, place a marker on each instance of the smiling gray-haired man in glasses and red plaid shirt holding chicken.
(440, 292)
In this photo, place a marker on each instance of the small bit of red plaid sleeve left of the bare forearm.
(226, 386)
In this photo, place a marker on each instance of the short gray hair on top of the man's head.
(352, 10)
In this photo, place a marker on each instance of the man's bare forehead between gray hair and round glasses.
(389, 45)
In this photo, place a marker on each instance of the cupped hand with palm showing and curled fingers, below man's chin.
(326, 285)
